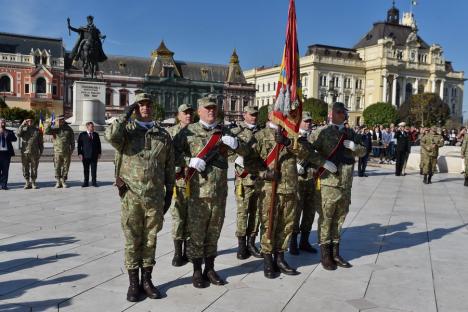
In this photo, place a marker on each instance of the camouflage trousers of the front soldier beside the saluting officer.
(206, 217)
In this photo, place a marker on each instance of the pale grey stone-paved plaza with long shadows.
(408, 242)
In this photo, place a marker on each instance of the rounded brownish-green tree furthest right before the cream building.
(425, 109)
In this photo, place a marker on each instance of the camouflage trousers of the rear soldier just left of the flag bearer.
(248, 216)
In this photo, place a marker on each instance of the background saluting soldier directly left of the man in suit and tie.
(64, 145)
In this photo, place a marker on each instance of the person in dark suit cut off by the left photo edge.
(6, 152)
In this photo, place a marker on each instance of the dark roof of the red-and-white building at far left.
(17, 43)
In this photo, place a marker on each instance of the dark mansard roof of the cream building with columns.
(380, 30)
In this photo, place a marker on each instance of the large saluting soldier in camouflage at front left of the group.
(145, 171)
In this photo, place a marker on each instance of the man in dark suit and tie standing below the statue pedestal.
(89, 150)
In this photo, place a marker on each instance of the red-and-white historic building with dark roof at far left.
(31, 72)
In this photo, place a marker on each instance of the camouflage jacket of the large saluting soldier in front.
(147, 158)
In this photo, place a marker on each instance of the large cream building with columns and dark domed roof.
(389, 63)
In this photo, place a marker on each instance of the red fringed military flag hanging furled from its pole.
(288, 105)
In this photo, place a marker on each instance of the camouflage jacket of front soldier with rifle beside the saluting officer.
(213, 181)
